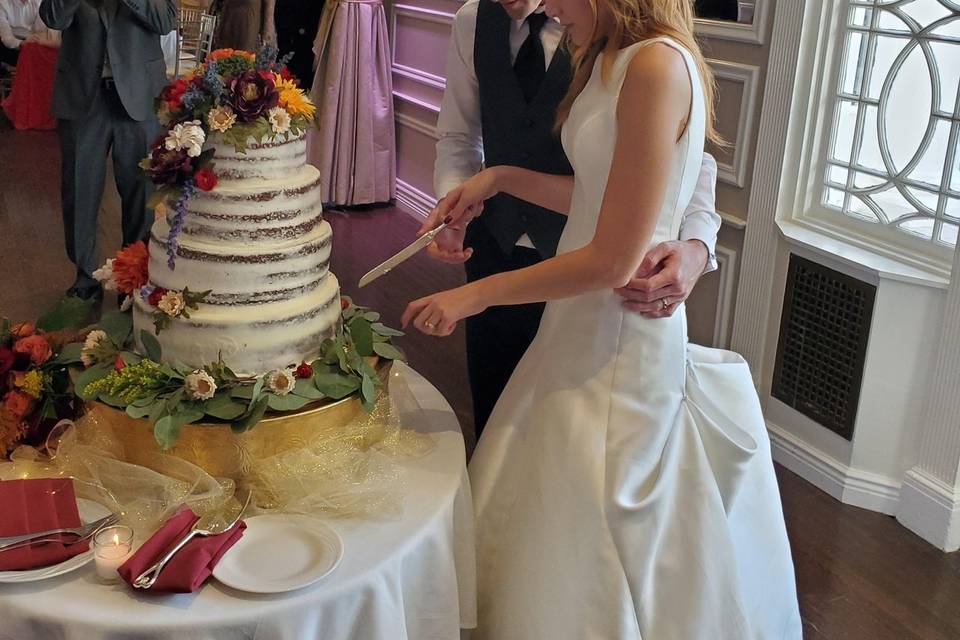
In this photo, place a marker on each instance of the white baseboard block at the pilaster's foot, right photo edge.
(931, 509)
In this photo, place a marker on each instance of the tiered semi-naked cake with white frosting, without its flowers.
(258, 242)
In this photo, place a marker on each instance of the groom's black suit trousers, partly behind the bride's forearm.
(498, 337)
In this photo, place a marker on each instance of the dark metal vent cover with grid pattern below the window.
(822, 345)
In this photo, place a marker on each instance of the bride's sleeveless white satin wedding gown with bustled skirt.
(624, 487)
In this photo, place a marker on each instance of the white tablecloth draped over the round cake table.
(411, 577)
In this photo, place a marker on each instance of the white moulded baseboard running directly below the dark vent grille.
(848, 485)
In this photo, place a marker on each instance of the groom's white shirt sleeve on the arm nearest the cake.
(460, 143)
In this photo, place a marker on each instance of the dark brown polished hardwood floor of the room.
(861, 575)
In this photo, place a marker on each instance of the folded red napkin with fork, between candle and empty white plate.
(192, 565)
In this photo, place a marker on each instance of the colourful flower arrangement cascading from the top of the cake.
(236, 94)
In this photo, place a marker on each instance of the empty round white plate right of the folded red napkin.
(279, 553)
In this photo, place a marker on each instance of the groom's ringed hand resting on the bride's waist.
(665, 278)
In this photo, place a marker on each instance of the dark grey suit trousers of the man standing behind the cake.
(84, 146)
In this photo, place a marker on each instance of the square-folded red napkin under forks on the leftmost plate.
(30, 506)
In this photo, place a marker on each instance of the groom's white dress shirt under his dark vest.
(460, 147)
